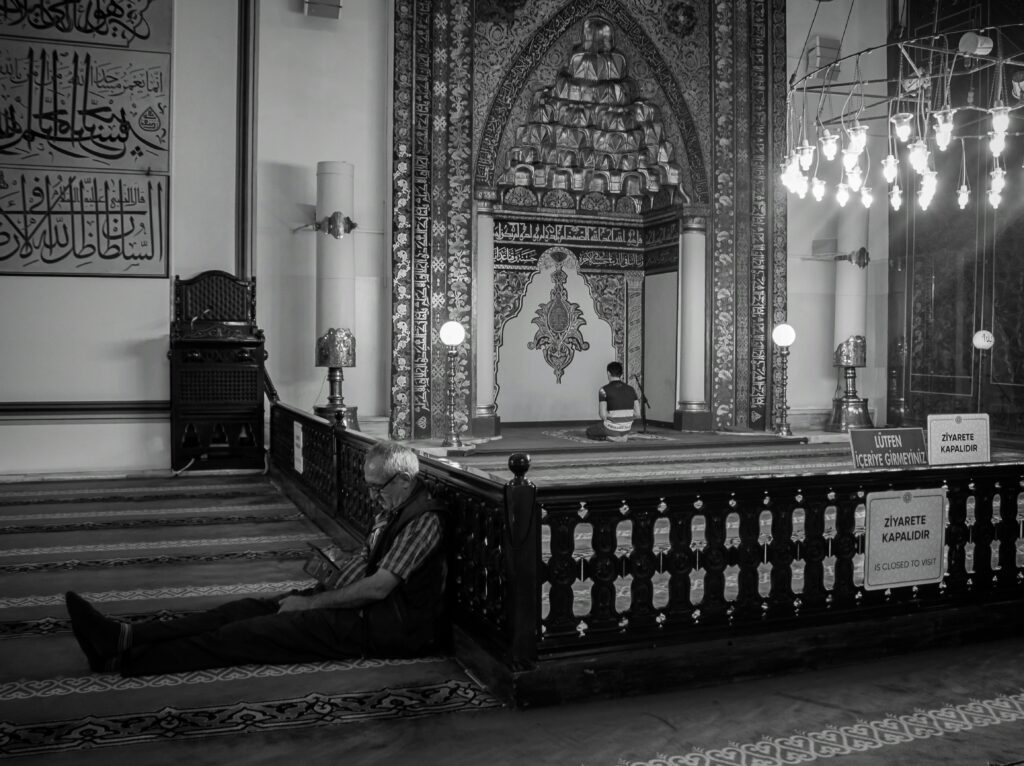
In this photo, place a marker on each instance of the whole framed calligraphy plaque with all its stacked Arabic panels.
(86, 94)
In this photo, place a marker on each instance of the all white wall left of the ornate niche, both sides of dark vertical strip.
(324, 91)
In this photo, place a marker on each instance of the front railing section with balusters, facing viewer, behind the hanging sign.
(639, 564)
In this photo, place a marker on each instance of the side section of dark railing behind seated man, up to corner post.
(491, 527)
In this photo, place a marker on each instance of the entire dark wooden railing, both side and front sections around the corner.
(566, 572)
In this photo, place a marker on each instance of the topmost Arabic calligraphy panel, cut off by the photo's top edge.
(137, 24)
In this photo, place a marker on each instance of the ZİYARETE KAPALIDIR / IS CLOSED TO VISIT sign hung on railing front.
(905, 538)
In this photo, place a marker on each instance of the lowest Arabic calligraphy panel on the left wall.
(60, 223)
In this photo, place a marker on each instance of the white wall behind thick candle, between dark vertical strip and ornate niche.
(324, 95)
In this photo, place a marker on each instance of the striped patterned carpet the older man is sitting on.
(157, 549)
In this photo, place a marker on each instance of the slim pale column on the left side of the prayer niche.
(485, 421)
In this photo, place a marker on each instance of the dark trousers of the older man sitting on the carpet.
(241, 632)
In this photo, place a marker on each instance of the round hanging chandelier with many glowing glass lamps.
(948, 94)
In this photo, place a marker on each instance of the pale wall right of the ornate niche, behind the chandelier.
(812, 285)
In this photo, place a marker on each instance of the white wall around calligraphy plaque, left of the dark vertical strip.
(68, 339)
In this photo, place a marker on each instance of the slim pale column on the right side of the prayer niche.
(693, 409)
